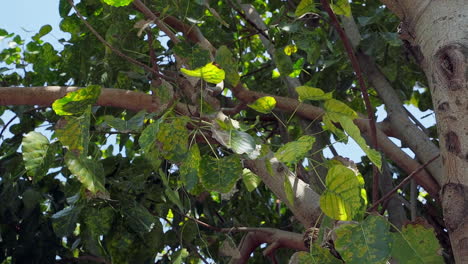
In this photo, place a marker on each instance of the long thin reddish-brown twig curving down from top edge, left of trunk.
(362, 84)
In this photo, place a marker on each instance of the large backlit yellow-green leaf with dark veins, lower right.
(341, 199)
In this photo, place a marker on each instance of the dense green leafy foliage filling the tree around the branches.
(133, 197)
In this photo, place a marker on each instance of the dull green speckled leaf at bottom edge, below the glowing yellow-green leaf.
(367, 242)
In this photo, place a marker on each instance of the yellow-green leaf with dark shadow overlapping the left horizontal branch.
(77, 102)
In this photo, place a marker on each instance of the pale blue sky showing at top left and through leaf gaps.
(26, 17)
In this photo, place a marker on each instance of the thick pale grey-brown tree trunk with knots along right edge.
(437, 34)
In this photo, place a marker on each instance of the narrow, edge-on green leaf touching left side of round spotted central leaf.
(190, 168)
